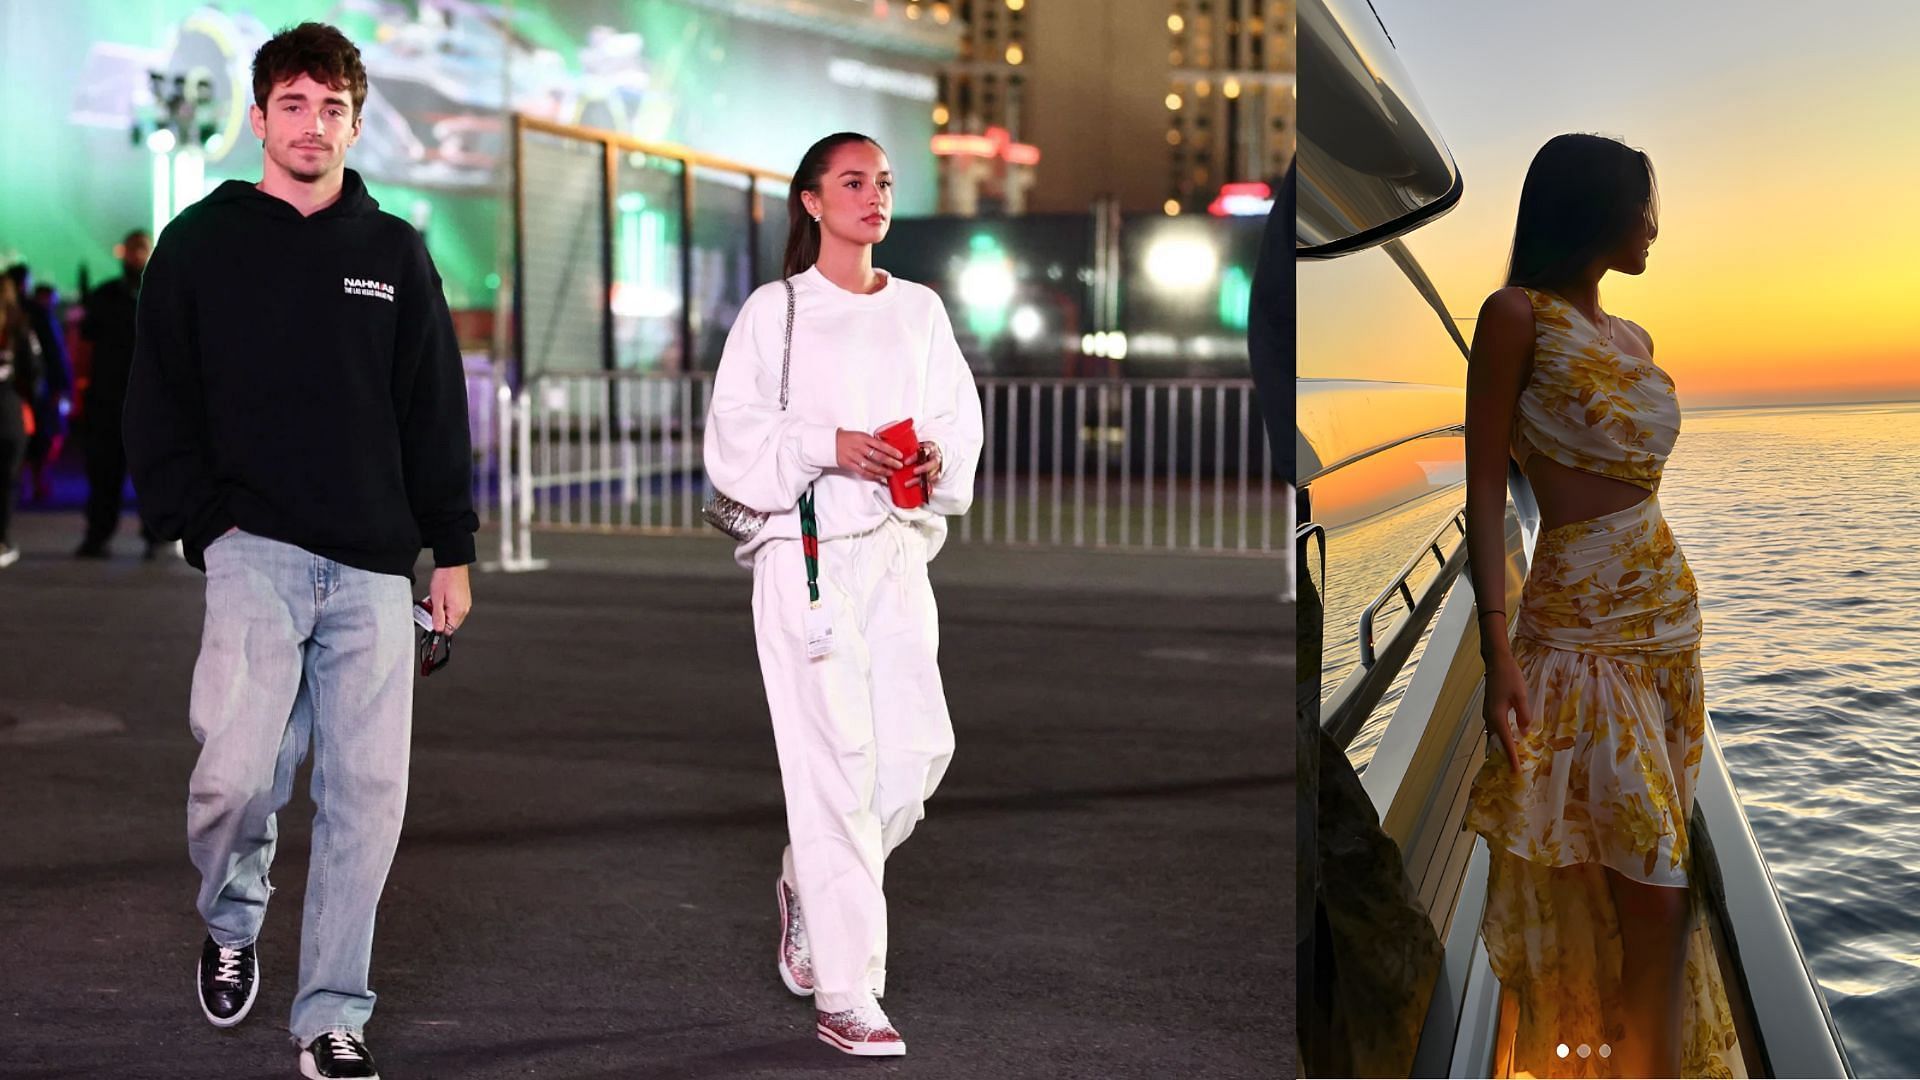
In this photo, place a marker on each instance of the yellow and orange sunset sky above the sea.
(1788, 157)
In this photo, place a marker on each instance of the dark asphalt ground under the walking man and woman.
(585, 887)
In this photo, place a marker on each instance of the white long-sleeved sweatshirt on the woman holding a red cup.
(859, 362)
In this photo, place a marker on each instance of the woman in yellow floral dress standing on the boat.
(1596, 704)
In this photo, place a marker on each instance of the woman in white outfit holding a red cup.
(850, 639)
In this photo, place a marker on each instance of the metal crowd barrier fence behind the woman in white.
(1145, 466)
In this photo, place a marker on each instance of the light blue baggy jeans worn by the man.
(295, 649)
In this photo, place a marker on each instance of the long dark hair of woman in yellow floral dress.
(1581, 197)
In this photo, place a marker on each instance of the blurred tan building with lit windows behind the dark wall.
(1157, 105)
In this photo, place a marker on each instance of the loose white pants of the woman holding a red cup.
(863, 737)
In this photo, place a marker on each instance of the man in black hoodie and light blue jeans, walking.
(299, 418)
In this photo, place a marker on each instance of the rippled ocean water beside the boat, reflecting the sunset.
(1804, 531)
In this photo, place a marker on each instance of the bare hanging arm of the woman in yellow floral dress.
(1497, 374)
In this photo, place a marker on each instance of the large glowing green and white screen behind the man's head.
(748, 87)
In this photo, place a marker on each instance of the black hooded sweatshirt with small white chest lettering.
(299, 378)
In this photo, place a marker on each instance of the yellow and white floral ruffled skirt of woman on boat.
(1608, 639)
